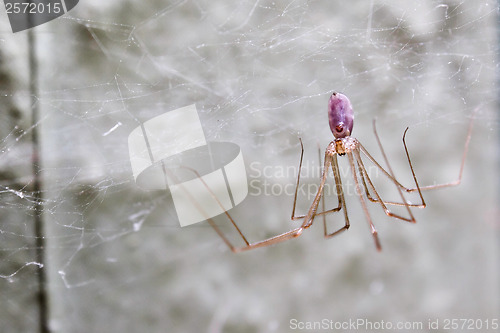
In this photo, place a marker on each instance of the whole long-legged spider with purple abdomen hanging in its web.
(341, 119)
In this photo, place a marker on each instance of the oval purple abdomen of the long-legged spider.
(340, 115)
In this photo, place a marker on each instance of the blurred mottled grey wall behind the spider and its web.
(260, 73)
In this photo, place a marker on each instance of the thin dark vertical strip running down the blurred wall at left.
(37, 186)
